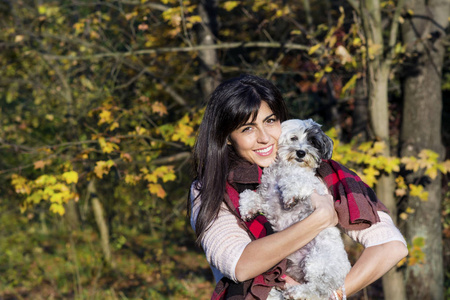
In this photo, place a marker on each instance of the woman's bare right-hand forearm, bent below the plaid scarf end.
(373, 263)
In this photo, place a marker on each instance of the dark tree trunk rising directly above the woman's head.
(207, 32)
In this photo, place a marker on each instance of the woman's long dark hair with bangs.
(231, 105)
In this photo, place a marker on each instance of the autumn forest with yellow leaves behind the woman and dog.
(101, 101)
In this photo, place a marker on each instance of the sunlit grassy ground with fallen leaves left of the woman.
(63, 265)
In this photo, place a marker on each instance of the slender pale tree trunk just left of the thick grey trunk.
(378, 68)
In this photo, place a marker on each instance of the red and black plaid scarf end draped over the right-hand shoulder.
(355, 202)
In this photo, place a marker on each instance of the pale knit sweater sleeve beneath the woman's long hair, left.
(223, 242)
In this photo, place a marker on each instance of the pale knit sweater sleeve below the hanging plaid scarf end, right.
(379, 233)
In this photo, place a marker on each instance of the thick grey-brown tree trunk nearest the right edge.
(421, 129)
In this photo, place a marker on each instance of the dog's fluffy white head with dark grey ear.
(304, 143)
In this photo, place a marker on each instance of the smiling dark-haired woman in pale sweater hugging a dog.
(238, 136)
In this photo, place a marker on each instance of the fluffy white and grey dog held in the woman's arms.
(284, 198)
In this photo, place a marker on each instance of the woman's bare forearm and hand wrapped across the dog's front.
(262, 254)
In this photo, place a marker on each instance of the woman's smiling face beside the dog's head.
(257, 141)
